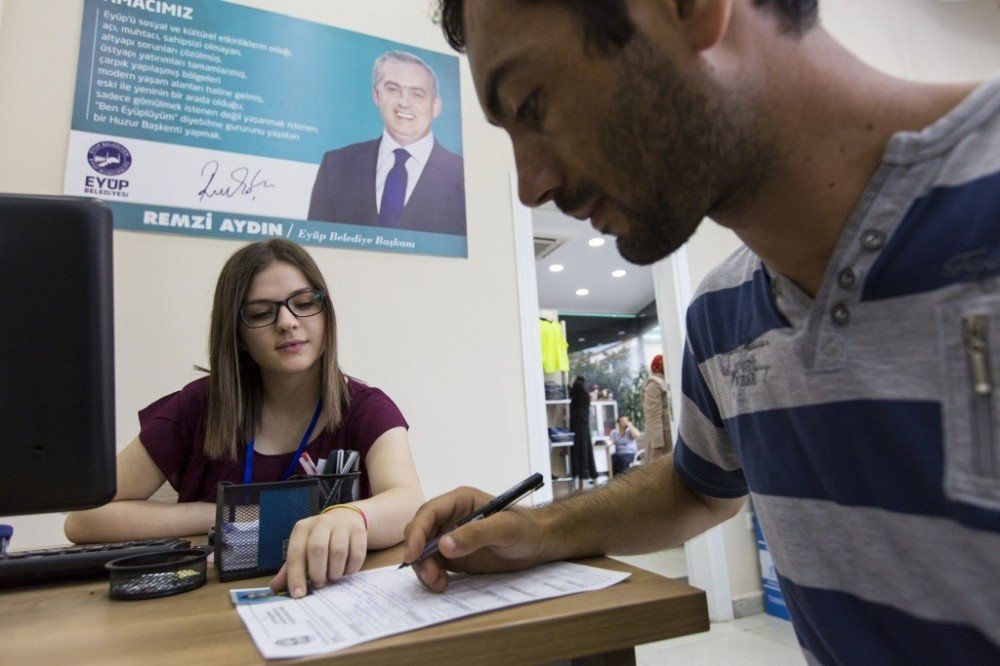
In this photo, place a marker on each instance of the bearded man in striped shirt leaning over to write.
(843, 369)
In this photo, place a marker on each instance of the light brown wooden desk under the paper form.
(77, 623)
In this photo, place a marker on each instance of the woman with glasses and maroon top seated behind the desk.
(273, 376)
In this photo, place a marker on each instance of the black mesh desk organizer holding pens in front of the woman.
(253, 521)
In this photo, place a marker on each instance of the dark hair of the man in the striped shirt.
(607, 26)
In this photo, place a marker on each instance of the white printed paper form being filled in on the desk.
(381, 602)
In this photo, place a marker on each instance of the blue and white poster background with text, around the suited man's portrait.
(220, 115)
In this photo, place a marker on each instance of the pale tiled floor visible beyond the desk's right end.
(757, 639)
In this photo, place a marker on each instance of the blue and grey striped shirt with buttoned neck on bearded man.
(865, 422)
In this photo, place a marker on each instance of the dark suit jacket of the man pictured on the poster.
(345, 190)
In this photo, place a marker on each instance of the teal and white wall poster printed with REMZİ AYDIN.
(208, 118)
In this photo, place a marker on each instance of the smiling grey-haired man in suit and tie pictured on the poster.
(404, 179)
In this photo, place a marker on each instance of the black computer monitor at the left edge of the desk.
(57, 398)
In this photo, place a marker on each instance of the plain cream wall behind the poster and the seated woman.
(439, 335)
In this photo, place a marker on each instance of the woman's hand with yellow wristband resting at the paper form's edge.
(321, 549)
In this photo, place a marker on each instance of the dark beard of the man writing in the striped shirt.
(676, 149)
